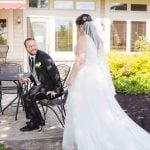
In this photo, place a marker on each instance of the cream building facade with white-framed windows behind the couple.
(52, 24)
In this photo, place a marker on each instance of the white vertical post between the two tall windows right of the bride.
(128, 37)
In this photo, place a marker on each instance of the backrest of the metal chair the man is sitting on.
(64, 72)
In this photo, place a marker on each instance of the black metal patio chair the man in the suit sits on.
(56, 104)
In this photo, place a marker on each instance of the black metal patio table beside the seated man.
(14, 77)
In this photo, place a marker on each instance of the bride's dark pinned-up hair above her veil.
(83, 18)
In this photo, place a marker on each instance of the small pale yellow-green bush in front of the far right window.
(141, 44)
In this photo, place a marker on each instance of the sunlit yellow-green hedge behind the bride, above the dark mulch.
(130, 73)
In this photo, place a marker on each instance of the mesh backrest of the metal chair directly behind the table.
(10, 67)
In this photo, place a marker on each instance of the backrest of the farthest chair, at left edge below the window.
(3, 52)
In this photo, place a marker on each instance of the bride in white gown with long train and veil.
(94, 120)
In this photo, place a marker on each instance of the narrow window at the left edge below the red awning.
(3, 31)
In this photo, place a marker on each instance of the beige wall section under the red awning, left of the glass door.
(15, 34)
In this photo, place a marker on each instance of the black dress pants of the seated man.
(31, 109)
